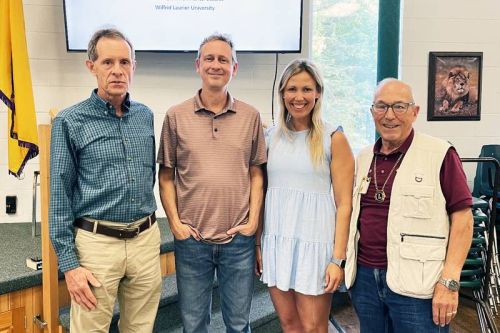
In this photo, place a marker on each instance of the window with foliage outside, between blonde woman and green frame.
(344, 46)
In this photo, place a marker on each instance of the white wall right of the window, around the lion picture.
(461, 26)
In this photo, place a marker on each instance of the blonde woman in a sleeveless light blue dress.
(310, 170)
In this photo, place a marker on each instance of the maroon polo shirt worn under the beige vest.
(373, 216)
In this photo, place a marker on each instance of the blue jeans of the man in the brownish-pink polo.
(195, 264)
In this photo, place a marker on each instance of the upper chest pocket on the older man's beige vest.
(417, 201)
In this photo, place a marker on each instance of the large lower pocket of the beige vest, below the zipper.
(420, 266)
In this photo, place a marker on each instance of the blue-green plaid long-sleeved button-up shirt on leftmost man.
(101, 166)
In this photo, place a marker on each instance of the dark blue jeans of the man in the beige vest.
(380, 310)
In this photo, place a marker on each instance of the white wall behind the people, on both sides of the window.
(60, 78)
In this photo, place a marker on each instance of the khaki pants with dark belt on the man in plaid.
(127, 268)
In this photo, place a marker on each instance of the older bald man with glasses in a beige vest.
(411, 226)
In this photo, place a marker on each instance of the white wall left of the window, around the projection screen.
(60, 79)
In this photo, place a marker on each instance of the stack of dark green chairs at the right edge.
(480, 278)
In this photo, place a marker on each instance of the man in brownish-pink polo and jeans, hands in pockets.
(211, 186)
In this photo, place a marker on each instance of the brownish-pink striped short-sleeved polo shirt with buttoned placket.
(212, 154)
